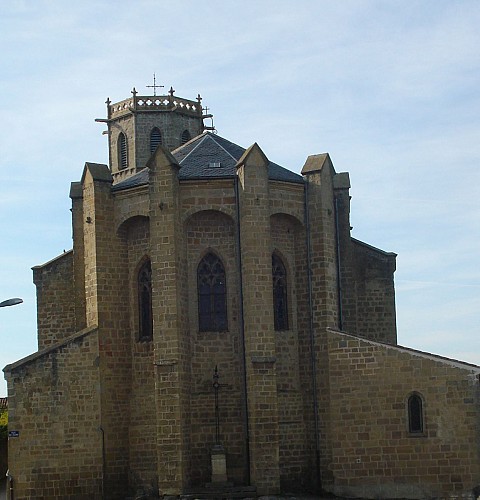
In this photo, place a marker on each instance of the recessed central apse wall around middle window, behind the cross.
(210, 230)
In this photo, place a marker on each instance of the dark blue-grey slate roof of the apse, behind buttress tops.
(198, 156)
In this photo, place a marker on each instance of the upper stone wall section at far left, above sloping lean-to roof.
(55, 300)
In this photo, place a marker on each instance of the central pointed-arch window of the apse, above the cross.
(212, 295)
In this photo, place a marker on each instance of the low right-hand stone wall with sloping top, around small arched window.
(373, 454)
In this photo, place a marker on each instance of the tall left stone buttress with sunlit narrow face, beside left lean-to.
(106, 284)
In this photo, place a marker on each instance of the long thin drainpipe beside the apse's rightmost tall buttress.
(313, 360)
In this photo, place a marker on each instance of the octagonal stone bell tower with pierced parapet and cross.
(137, 125)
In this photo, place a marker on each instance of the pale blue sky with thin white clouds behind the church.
(390, 89)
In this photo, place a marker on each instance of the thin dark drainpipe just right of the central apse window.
(242, 329)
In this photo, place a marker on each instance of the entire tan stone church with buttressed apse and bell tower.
(216, 332)
